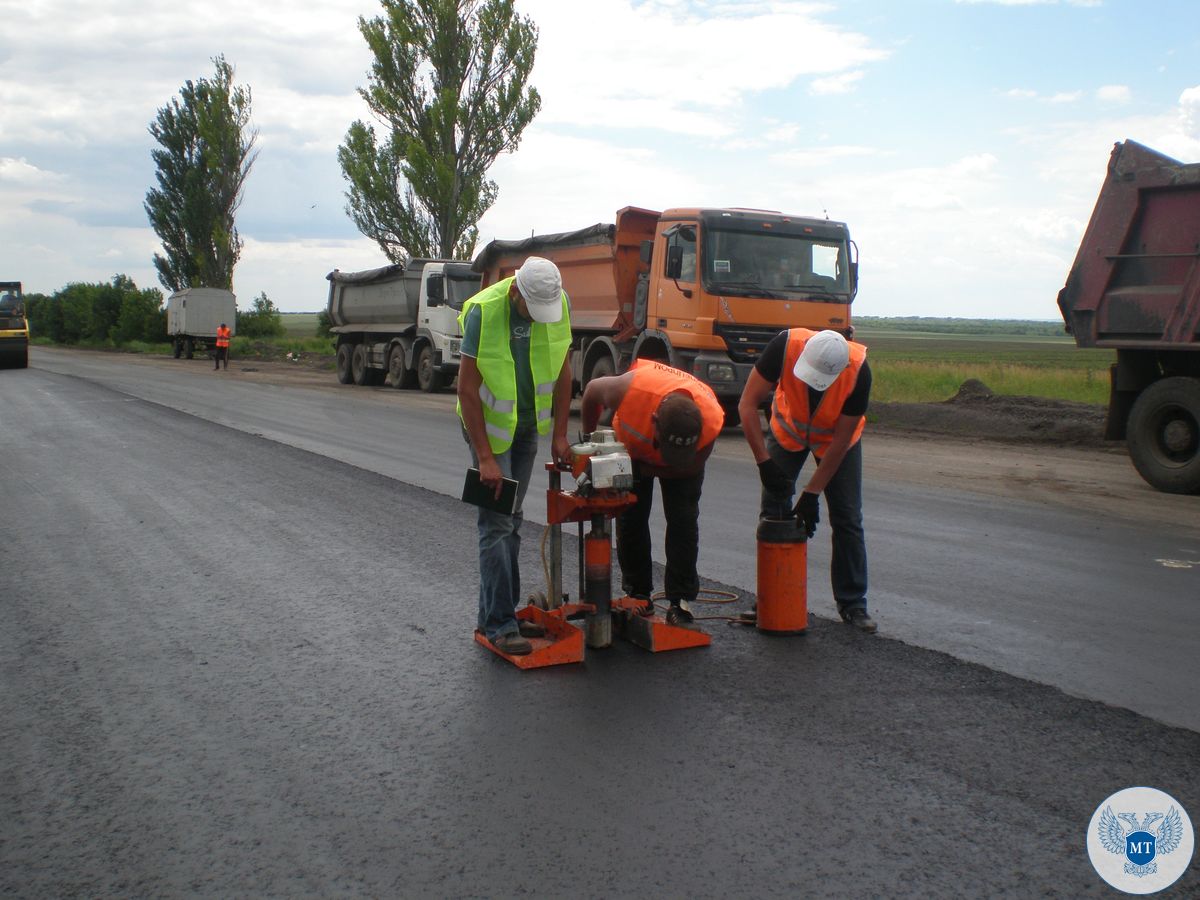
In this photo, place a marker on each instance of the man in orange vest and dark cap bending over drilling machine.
(669, 421)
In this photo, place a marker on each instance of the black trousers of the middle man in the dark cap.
(681, 507)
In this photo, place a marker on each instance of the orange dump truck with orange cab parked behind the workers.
(704, 290)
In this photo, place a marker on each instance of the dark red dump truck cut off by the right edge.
(1136, 287)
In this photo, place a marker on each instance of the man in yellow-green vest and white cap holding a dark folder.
(514, 385)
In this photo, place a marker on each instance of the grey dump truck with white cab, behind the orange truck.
(400, 322)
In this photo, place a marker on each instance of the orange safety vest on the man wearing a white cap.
(795, 427)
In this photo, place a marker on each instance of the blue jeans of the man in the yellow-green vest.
(500, 542)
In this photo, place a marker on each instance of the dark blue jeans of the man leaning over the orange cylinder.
(844, 513)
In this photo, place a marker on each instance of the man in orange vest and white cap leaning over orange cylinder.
(823, 387)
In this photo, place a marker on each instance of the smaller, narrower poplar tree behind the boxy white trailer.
(206, 154)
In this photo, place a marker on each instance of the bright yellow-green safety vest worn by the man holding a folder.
(499, 388)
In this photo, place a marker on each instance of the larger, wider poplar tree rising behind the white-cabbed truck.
(449, 88)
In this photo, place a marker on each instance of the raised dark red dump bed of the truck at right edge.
(1136, 283)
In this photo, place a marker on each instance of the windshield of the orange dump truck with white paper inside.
(777, 265)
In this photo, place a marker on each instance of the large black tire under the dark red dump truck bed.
(1163, 435)
